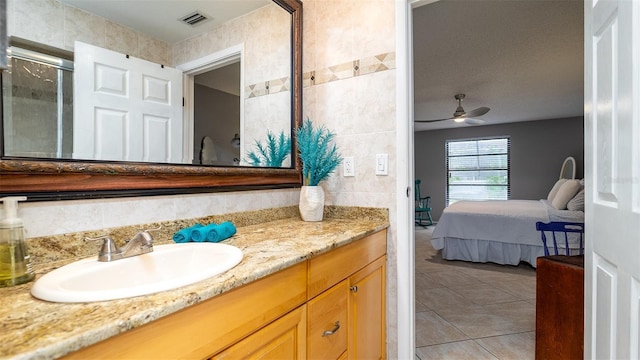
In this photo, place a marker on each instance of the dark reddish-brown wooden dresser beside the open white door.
(560, 307)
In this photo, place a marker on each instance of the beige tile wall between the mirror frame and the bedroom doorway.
(349, 49)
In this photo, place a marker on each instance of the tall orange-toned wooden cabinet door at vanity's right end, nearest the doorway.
(367, 338)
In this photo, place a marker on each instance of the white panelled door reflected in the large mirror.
(125, 108)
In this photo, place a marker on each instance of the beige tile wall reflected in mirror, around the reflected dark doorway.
(264, 35)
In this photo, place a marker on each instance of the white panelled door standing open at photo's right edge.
(612, 161)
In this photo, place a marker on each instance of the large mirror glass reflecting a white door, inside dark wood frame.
(124, 123)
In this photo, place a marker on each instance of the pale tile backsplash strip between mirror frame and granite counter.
(62, 217)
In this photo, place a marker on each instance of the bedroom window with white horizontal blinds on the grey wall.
(478, 169)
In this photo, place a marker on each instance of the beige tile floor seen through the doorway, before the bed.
(472, 311)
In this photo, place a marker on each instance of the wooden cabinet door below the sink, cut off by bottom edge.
(285, 338)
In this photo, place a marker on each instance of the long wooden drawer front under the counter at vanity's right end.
(329, 269)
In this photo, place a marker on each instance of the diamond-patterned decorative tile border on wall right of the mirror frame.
(364, 66)
